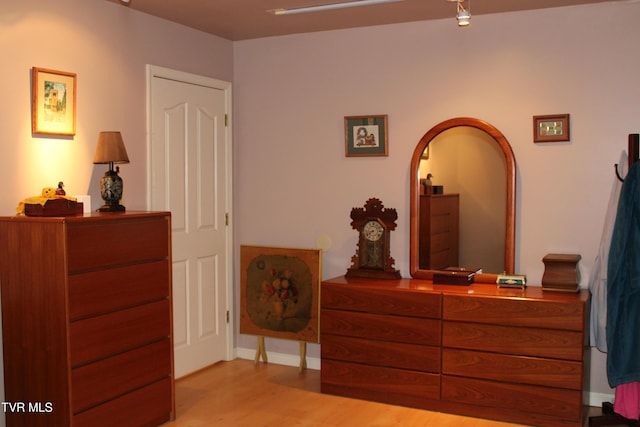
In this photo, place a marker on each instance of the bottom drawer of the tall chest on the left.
(148, 406)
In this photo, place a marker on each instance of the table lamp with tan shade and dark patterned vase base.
(111, 150)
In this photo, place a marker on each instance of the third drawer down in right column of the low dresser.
(517, 369)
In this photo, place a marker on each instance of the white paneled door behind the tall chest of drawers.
(189, 165)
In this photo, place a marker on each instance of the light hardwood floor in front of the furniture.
(240, 393)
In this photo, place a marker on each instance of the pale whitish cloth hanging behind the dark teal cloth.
(598, 277)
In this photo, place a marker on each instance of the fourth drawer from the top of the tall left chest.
(109, 378)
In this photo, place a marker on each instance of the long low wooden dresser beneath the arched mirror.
(506, 354)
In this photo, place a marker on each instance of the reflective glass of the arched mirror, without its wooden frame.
(464, 223)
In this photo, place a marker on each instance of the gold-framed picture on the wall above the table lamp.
(53, 110)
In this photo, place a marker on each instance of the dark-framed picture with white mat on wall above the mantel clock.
(366, 136)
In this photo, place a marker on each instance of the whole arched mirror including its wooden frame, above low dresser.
(470, 221)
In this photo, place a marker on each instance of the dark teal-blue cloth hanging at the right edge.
(623, 287)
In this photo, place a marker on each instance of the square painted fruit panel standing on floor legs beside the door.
(280, 292)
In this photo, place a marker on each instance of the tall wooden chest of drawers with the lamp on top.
(86, 319)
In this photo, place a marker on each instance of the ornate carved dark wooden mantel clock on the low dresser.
(373, 259)
